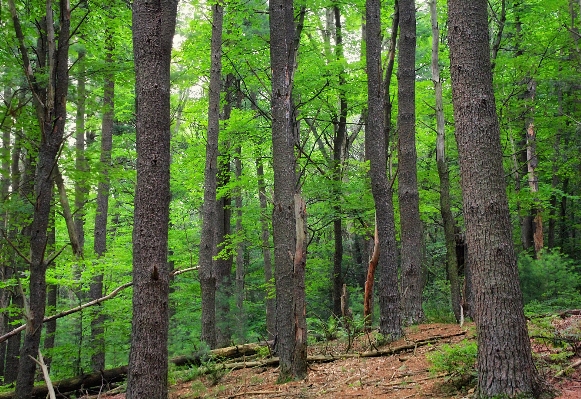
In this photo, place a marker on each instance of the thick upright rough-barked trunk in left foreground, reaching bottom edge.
(153, 30)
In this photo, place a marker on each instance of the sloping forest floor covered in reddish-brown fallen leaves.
(402, 375)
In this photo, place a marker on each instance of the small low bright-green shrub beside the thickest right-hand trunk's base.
(457, 361)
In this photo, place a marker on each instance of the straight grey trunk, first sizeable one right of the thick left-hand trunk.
(209, 230)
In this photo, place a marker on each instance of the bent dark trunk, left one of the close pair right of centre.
(389, 299)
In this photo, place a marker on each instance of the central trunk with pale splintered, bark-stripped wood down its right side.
(289, 258)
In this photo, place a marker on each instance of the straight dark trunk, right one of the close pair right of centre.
(411, 225)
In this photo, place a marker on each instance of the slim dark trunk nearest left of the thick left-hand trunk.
(100, 231)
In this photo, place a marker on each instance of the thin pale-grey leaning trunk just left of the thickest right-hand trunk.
(442, 164)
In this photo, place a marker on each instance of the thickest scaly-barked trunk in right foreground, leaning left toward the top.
(498, 313)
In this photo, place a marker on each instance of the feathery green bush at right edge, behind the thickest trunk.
(549, 283)
